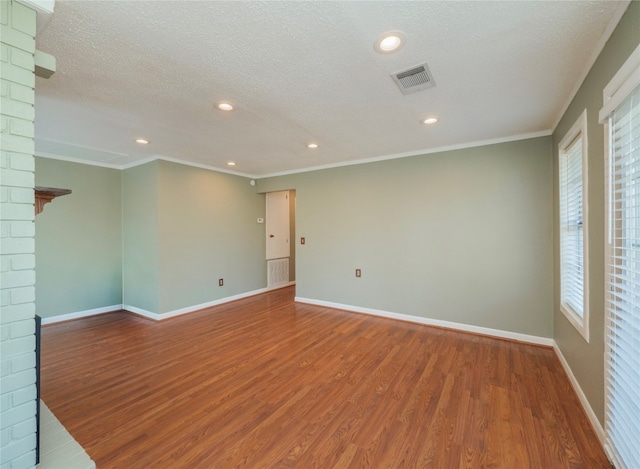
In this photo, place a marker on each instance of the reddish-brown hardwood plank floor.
(266, 382)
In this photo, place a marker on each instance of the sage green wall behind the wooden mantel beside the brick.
(78, 239)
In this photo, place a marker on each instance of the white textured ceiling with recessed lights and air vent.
(305, 71)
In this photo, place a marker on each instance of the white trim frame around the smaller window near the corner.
(578, 130)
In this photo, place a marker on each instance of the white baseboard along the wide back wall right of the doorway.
(531, 339)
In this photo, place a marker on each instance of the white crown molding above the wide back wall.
(482, 143)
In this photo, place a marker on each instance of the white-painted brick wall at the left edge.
(17, 258)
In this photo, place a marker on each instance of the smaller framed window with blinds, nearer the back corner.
(572, 153)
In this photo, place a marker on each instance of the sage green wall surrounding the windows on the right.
(587, 359)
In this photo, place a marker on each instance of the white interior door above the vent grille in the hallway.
(277, 225)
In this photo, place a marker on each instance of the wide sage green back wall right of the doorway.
(462, 236)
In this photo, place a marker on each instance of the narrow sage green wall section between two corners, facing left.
(140, 237)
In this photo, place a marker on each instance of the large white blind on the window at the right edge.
(622, 420)
